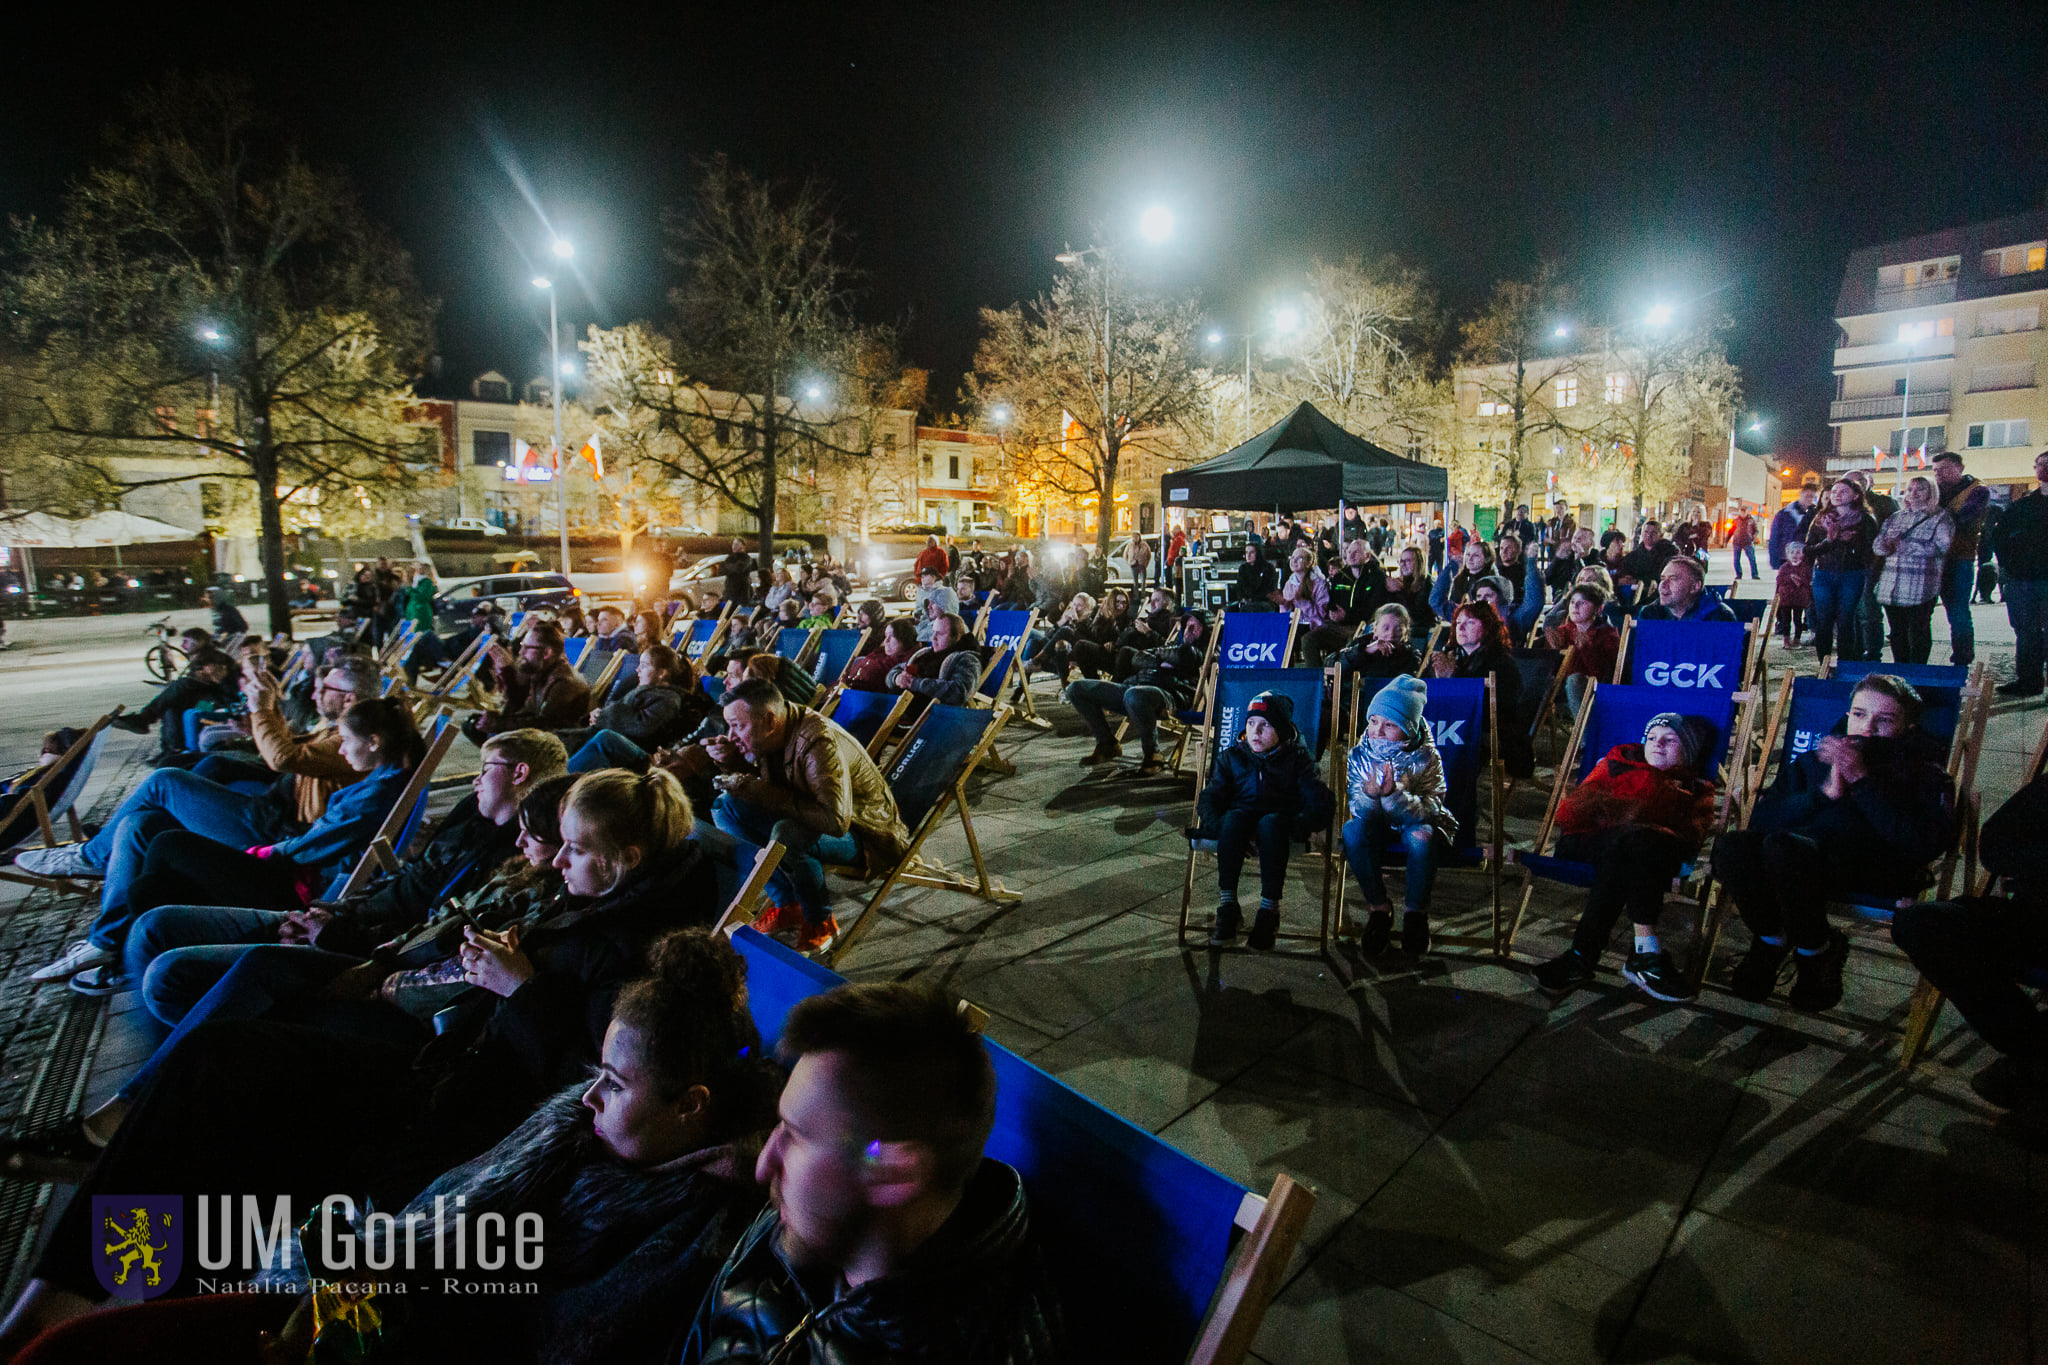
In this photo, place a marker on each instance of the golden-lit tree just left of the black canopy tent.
(1089, 371)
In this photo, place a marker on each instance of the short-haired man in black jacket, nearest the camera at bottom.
(890, 1237)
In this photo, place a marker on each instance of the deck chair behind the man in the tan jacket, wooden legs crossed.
(927, 779)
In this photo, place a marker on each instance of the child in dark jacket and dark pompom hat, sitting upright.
(1267, 791)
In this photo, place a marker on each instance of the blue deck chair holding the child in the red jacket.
(1617, 715)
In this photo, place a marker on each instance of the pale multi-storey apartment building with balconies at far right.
(1940, 347)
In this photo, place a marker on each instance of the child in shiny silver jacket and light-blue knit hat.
(1398, 789)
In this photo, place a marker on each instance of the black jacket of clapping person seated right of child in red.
(1889, 826)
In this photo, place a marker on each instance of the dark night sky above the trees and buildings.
(1666, 152)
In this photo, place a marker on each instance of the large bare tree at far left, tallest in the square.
(212, 271)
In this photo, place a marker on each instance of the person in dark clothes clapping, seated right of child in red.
(1863, 813)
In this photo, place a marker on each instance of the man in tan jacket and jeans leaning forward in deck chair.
(792, 777)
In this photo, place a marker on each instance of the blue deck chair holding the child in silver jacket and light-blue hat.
(1463, 715)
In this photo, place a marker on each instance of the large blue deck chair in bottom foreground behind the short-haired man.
(1142, 1239)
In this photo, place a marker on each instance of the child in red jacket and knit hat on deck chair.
(1637, 820)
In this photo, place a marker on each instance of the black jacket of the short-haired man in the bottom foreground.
(974, 1294)
